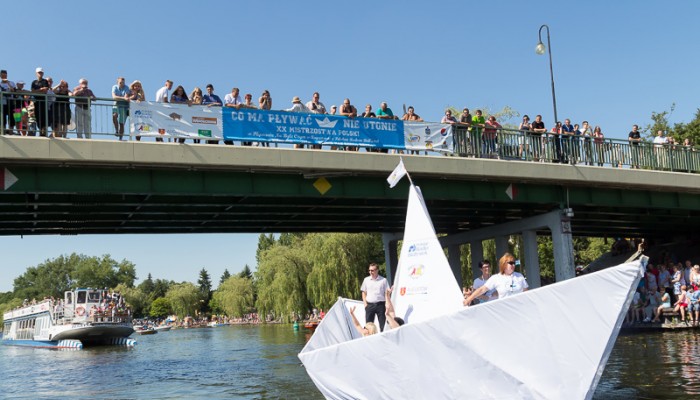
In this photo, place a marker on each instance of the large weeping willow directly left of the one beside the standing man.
(281, 281)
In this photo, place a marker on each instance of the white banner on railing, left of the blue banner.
(150, 119)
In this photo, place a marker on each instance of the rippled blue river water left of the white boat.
(237, 362)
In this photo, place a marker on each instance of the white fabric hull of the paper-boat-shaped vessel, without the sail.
(548, 343)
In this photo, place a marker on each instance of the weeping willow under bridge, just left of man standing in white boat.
(340, 263)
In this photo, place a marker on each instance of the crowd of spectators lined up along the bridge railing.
(45, 109)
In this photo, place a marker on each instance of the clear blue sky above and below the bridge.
(614, 63)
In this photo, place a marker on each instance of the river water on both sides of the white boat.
(260, 362)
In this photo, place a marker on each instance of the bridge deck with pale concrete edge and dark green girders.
(57, 186)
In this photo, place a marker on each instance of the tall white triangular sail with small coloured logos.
(424, 286)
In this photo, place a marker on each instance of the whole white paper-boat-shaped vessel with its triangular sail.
(549, 343)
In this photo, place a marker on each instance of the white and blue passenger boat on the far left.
(76, 321)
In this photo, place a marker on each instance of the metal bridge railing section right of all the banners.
(511, 144)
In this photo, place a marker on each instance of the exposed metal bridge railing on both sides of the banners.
(103, 118)
